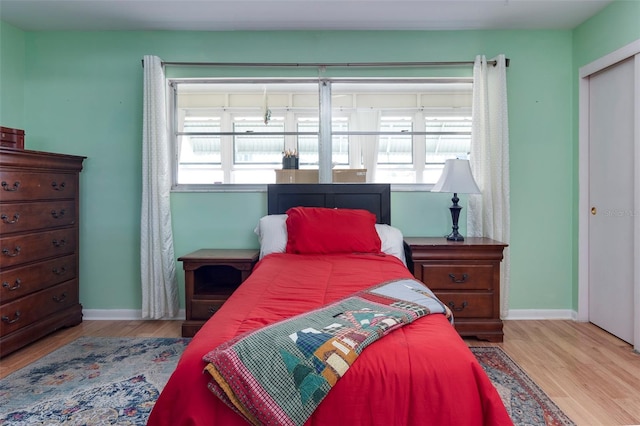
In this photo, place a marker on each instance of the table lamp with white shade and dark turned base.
(457, 178)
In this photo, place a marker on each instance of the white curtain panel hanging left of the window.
(157, 261)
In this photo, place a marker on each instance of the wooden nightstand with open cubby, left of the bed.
(210, 276)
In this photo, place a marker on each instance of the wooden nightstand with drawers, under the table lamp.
(465, 276)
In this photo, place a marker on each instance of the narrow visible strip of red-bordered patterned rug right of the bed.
(526, 403)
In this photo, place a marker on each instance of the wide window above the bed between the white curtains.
(400, 132)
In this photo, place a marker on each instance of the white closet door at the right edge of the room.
(611, 197)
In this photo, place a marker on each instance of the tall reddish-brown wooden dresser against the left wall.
(39, 210)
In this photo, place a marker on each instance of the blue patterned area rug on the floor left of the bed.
(91, 381)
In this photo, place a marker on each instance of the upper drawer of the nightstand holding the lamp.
(457, 276)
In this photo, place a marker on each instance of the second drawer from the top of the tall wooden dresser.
(18, 217)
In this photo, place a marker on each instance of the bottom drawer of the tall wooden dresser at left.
(22, 312)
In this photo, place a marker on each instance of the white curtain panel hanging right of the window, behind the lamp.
(489, 214)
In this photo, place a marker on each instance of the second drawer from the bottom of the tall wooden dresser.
(20, 281)
